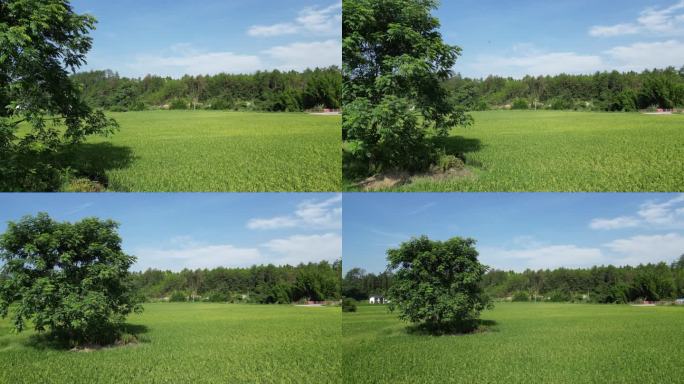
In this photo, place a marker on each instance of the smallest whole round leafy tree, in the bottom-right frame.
(437, 284)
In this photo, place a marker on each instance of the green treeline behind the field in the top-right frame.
(602, 91)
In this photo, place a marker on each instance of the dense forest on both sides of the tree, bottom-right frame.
(604, 284)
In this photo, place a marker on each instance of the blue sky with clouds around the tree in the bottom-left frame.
(176, 231)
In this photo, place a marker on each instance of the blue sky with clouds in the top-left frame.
(177, 37)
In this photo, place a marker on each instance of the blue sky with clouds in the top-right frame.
(514, 38)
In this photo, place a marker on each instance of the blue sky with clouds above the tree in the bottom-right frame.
(519, 231)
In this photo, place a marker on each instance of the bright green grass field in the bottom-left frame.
(193, 343)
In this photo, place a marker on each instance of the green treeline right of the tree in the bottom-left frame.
(264, 284)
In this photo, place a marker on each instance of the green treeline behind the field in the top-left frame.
(273, 91)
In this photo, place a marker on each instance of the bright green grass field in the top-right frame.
(548, 151)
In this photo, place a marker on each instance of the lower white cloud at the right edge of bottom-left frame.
(303, 249)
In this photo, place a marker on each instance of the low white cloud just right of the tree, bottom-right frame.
(551, 256)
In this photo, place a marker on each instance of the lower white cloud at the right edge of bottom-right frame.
(647, 248)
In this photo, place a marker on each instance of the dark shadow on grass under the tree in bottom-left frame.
(128, 334)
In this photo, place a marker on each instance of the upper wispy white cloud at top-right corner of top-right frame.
(666, 21)
